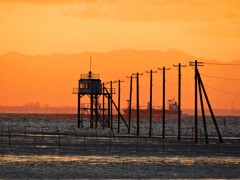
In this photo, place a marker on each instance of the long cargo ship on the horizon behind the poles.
(144, 113)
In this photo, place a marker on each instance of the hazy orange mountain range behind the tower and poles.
(49, 79)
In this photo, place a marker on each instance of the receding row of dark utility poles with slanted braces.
(198, 83)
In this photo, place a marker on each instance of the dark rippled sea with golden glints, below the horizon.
(51, 146)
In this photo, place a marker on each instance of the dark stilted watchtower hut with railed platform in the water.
(90, 85)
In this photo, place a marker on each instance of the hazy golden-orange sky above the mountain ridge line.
(202, 28)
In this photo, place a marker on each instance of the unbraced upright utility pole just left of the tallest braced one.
(179, 99)
